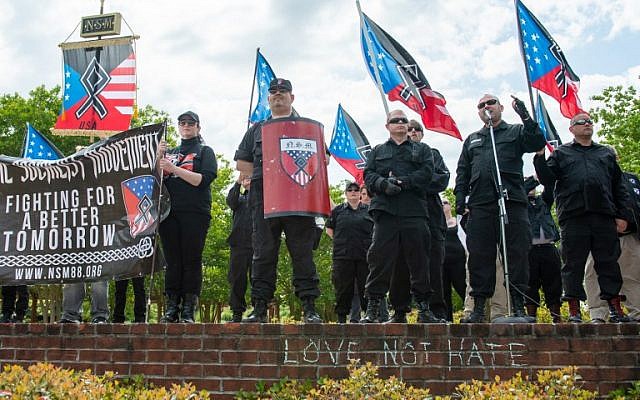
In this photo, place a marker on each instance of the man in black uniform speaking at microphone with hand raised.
(476, 179)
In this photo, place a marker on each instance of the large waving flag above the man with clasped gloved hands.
(402, 79)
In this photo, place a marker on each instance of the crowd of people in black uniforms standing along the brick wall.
(396, 239)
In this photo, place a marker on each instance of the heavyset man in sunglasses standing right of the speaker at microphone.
(590, 202)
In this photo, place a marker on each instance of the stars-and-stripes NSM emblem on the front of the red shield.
(299, 159)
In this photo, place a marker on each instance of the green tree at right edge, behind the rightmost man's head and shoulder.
(619, 112)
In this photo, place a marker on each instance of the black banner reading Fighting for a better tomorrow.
(88, 217)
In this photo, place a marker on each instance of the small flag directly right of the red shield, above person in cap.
(349, 146)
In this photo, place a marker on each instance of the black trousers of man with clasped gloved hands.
(398, 239)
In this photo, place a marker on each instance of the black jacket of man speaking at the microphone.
(476, 172)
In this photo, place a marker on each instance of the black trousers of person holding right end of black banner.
(183, 236)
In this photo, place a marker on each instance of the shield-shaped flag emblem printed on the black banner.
(137, 193)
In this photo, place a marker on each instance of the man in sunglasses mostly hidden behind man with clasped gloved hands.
(398, 293)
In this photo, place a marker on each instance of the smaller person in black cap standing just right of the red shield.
(350, 226)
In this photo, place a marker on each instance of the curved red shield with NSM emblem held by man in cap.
(294, 168)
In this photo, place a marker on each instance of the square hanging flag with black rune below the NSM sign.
(99, 87)
